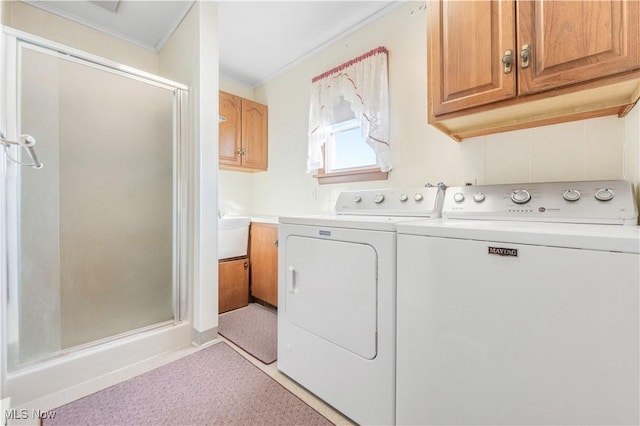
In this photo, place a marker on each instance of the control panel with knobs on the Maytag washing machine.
(611, 201)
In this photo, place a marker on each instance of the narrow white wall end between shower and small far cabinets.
(191, 56)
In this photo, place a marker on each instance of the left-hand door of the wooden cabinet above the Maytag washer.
(466, 43)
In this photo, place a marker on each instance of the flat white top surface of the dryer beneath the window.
(373, 223)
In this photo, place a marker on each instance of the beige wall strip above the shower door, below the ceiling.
(27, 18)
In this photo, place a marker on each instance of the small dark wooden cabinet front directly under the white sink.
(233, 284)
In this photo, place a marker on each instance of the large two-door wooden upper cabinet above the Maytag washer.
(495, 66)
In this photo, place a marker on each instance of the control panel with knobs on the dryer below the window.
(419, 202)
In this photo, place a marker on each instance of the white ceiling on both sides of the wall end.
(257, 39)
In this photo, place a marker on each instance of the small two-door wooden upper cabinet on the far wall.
(242, 134)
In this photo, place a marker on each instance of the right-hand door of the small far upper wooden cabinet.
(254, 135)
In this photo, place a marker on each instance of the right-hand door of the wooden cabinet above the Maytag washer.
(575, 41)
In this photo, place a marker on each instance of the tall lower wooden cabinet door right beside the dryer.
(264, 262)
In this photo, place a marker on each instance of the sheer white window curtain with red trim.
(364, 83)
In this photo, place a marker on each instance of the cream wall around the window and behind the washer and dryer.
(588, 149)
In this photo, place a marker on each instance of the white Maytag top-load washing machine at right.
(521, 306)
